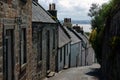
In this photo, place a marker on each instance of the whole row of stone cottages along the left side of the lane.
(33, 44)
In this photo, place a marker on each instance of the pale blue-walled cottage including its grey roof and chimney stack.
(75, 44)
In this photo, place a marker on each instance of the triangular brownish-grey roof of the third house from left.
(63, 37)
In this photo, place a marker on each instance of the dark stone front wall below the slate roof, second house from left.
(43, 29)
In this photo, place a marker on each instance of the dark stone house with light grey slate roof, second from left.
(45, 35)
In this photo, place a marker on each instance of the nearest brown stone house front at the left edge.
(15, 40)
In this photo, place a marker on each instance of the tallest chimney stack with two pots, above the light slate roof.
(52, 10)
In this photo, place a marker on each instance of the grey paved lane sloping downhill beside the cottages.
(78, 73)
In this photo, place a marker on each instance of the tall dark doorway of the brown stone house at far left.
(9, 55)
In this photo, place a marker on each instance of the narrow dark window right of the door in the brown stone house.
(23, 54)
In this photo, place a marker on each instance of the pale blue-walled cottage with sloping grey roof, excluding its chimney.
(75, 48)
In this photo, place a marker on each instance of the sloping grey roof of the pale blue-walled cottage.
(74, 38)
